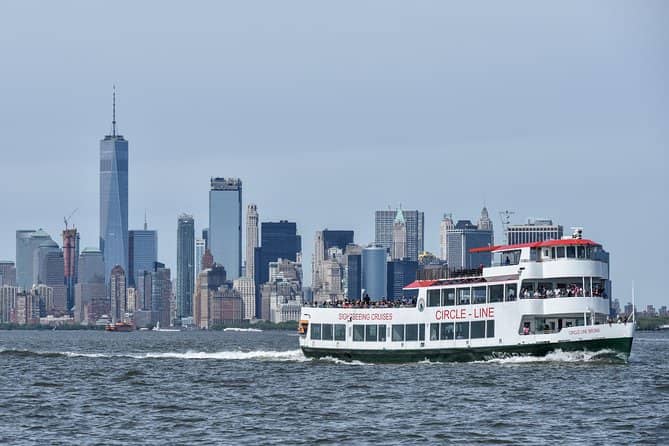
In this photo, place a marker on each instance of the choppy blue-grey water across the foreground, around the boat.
(257, 388)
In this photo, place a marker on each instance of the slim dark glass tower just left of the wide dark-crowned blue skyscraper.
(185, 265)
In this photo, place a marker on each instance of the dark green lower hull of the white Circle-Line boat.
(618, 346)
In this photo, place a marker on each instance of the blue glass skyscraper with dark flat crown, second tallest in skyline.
(225, 224)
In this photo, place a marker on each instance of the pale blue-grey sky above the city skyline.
(328, 111)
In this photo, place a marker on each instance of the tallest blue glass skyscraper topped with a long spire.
(114, 198)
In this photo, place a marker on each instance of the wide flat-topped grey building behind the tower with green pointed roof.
(383, 223)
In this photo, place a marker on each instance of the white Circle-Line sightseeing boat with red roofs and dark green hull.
(535, 298)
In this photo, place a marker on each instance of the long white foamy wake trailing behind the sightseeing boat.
(289, 355)
